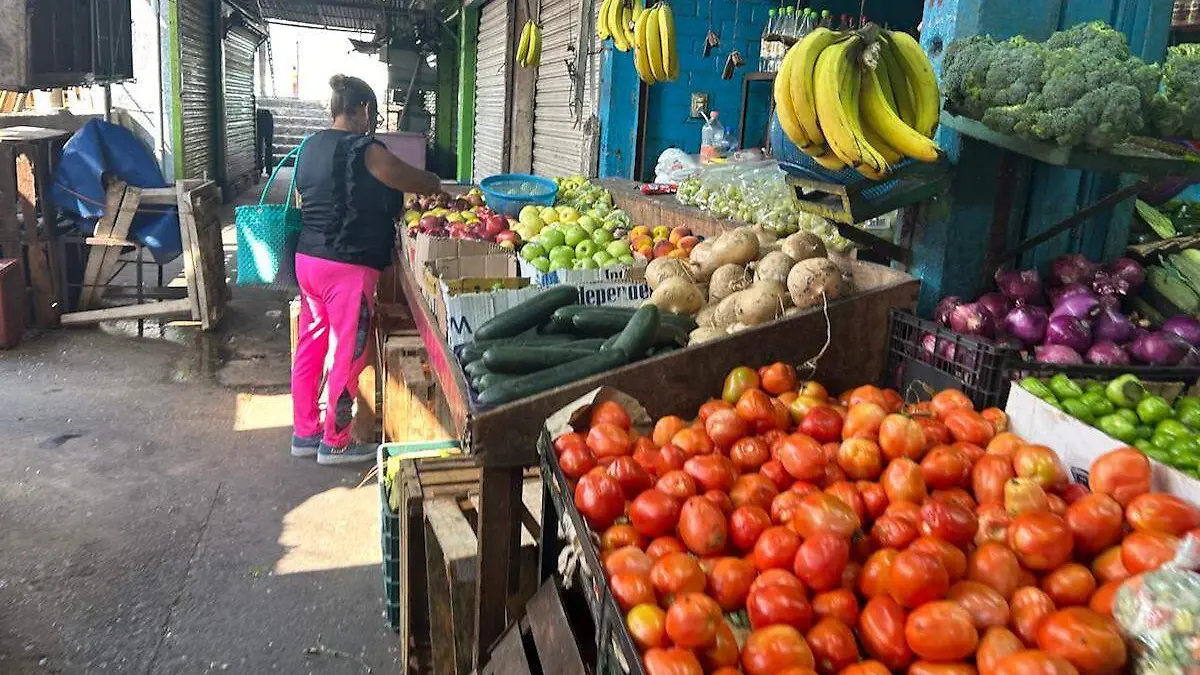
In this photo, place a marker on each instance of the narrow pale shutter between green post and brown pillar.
(491, 91)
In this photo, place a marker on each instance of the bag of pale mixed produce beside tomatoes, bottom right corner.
(1160, 614)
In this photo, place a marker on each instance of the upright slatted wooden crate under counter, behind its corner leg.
(440, 560)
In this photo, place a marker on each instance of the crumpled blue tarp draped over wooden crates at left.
(101, 150)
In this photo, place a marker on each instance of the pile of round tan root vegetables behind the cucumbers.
(746, 278)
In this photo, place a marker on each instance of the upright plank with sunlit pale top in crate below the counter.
(458, 546)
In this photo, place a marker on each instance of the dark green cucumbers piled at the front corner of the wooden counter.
(549, 342)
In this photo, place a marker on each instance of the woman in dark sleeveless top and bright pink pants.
(351, 192)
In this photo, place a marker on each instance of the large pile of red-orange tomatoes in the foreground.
(789, 533)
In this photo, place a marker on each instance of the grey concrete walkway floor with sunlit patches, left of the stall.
(153, 522)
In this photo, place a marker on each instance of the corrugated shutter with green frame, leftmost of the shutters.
(197, 39)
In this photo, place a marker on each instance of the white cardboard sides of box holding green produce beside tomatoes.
(1079, 444)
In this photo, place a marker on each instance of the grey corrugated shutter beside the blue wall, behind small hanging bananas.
(562, 132)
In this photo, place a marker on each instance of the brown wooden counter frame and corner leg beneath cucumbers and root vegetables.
(505, 438)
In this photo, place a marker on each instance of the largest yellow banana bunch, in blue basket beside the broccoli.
(863, 99)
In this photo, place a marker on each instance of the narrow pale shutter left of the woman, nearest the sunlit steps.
(239, 103)
